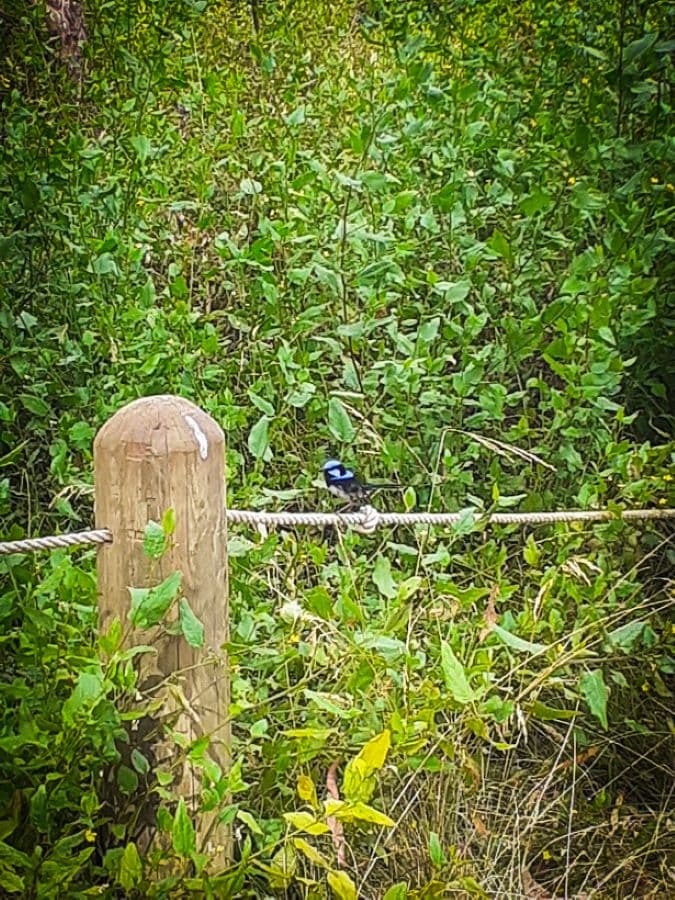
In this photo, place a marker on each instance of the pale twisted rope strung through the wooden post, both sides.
(367, 520)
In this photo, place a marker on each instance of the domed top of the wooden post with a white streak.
(163, 423)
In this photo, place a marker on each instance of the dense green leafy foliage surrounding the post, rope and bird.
(433, 238)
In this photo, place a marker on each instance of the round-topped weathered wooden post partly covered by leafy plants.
(154, 454)
